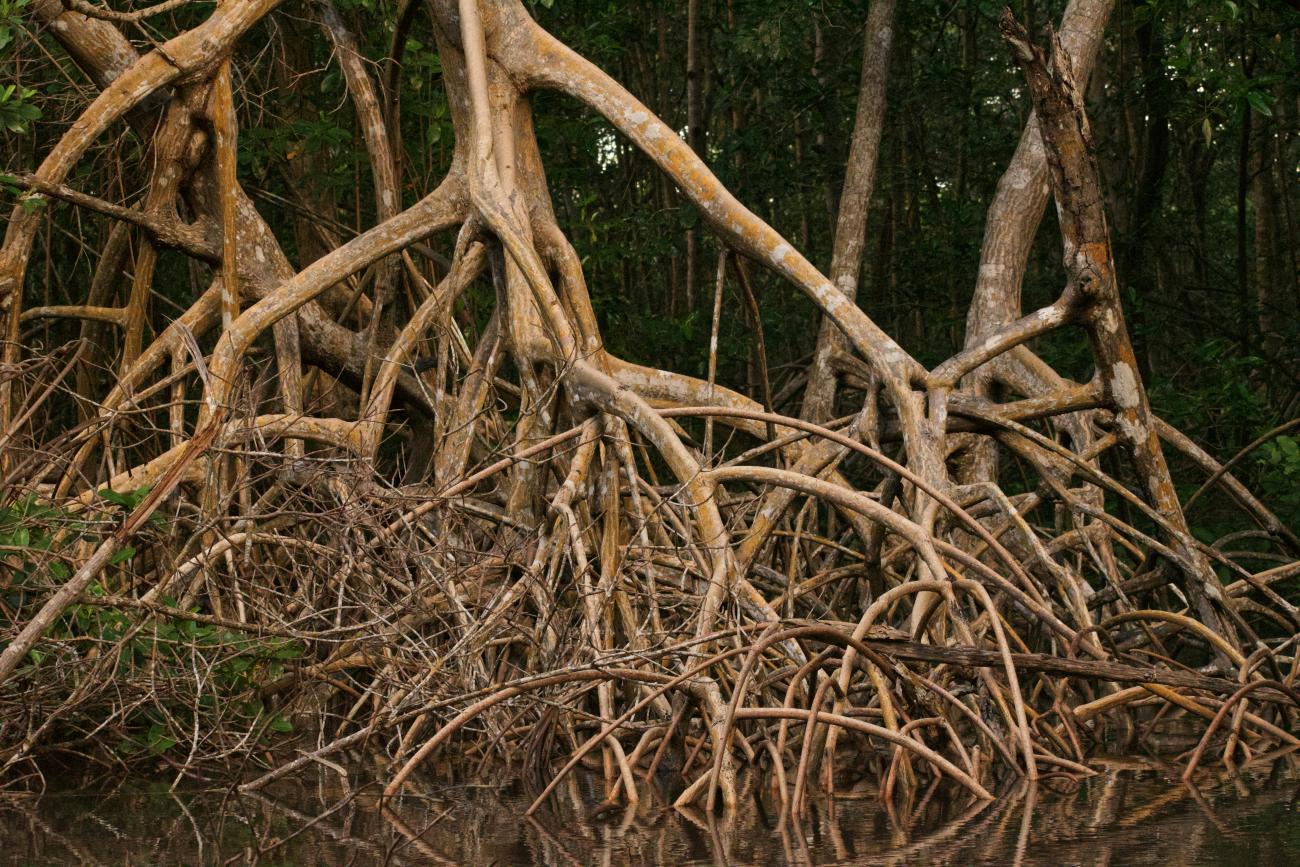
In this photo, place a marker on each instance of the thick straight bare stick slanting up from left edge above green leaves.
(107, 549)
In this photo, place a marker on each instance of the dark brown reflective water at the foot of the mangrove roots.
(1132, 814)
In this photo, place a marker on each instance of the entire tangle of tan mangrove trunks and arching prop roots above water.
(557, 570)
